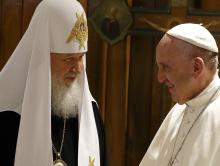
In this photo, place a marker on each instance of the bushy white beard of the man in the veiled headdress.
(65, 100)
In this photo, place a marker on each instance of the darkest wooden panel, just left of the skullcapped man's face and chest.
(139, 103)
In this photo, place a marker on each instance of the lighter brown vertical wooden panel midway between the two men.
(115, 114)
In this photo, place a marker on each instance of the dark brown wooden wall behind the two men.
(122, 77)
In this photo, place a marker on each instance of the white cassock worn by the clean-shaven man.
(202, 143)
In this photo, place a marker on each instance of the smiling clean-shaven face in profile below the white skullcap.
(175, 69)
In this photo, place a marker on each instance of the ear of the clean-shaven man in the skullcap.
(198, 66)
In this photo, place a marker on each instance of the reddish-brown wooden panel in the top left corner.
(11, 26)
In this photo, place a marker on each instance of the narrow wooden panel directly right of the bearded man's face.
(96, 68)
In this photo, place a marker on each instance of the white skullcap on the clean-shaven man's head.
(194, 34)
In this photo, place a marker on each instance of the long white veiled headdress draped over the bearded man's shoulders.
(26, 79)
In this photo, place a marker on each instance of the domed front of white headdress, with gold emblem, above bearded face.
(67, 26)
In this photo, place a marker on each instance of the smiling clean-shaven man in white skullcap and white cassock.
(190, 134)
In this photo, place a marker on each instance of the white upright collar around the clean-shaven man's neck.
(206, 94)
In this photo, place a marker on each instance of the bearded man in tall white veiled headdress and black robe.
(51, 117)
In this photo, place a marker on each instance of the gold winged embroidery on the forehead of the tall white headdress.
(79, 31)
